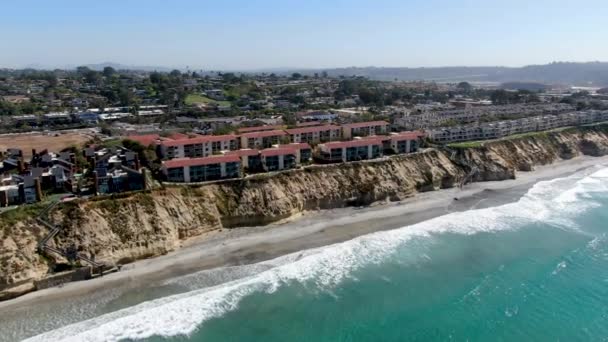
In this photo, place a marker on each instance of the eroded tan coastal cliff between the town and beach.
(118, 230)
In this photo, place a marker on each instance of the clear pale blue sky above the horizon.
(266, 34)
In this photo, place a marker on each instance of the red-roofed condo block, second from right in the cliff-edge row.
(345, 151)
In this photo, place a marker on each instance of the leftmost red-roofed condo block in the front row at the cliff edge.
(186, 170)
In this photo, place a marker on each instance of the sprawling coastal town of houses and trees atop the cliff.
(137, 130)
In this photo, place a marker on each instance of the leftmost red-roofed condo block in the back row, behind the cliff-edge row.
(199, 146)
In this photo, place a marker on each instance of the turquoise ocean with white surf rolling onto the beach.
(535, 269)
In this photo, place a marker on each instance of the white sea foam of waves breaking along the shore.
(553, 202)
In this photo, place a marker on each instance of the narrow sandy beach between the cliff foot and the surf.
(231, 247)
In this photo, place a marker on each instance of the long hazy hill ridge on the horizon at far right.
(584, 74)
